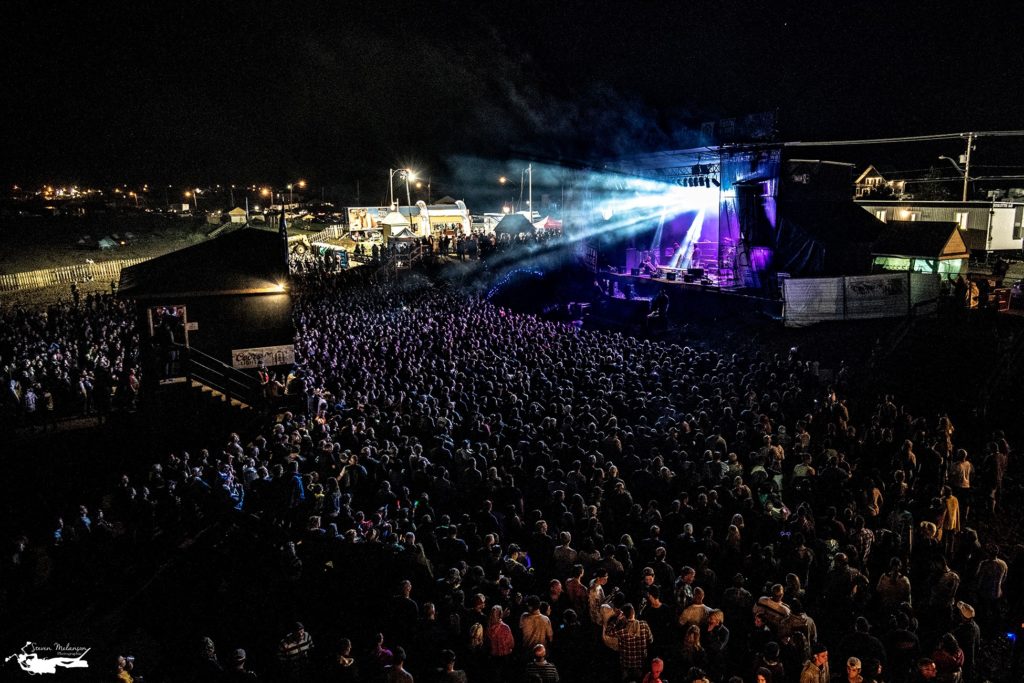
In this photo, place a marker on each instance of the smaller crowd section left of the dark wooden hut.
(74, 358)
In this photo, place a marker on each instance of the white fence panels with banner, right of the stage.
(812, 301)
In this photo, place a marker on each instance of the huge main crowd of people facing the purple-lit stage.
(501, 498)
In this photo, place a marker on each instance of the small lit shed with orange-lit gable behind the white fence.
(936, 247)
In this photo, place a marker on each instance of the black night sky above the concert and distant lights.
(333, 93)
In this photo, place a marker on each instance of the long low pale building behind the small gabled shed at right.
(988, 227)
